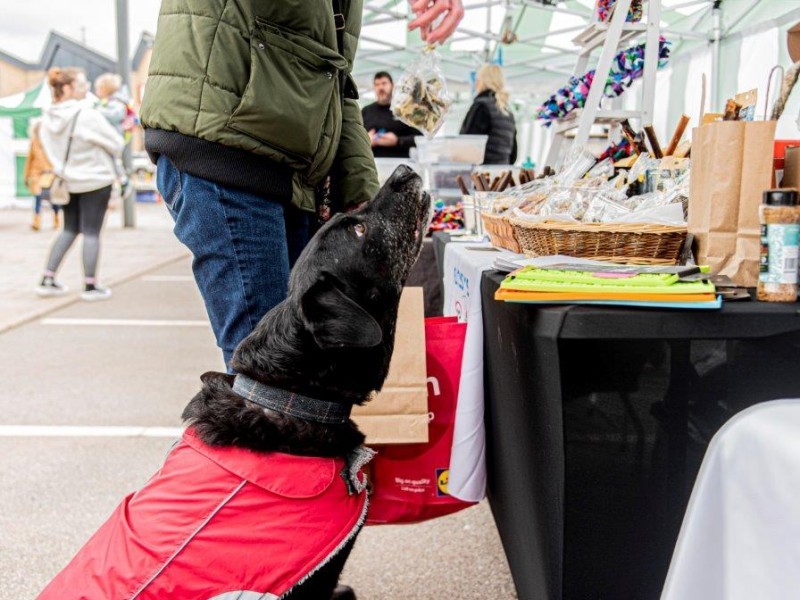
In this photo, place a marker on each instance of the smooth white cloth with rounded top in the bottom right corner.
(740, 538)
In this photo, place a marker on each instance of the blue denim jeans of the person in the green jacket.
(243, 247)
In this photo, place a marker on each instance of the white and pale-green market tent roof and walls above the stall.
(542, 55)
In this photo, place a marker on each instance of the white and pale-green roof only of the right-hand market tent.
(542, 53)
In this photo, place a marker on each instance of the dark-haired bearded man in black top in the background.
(390, 137)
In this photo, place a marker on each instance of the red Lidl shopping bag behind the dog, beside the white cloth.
(409, 481)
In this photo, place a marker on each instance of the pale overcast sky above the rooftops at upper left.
(25, 24)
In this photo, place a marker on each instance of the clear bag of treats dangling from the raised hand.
(420, 98)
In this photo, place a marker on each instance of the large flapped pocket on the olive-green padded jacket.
(290, 91)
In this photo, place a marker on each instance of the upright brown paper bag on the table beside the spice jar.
(731, 167)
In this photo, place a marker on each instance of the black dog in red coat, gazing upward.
(310, 359)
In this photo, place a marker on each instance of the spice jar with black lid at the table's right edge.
(780, 232)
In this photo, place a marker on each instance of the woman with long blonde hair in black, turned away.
(490, 115)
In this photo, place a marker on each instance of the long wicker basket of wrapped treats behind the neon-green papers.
(635, 243)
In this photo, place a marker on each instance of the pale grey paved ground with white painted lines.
(60, 371)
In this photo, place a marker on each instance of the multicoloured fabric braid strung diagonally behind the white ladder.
(627, 67)
